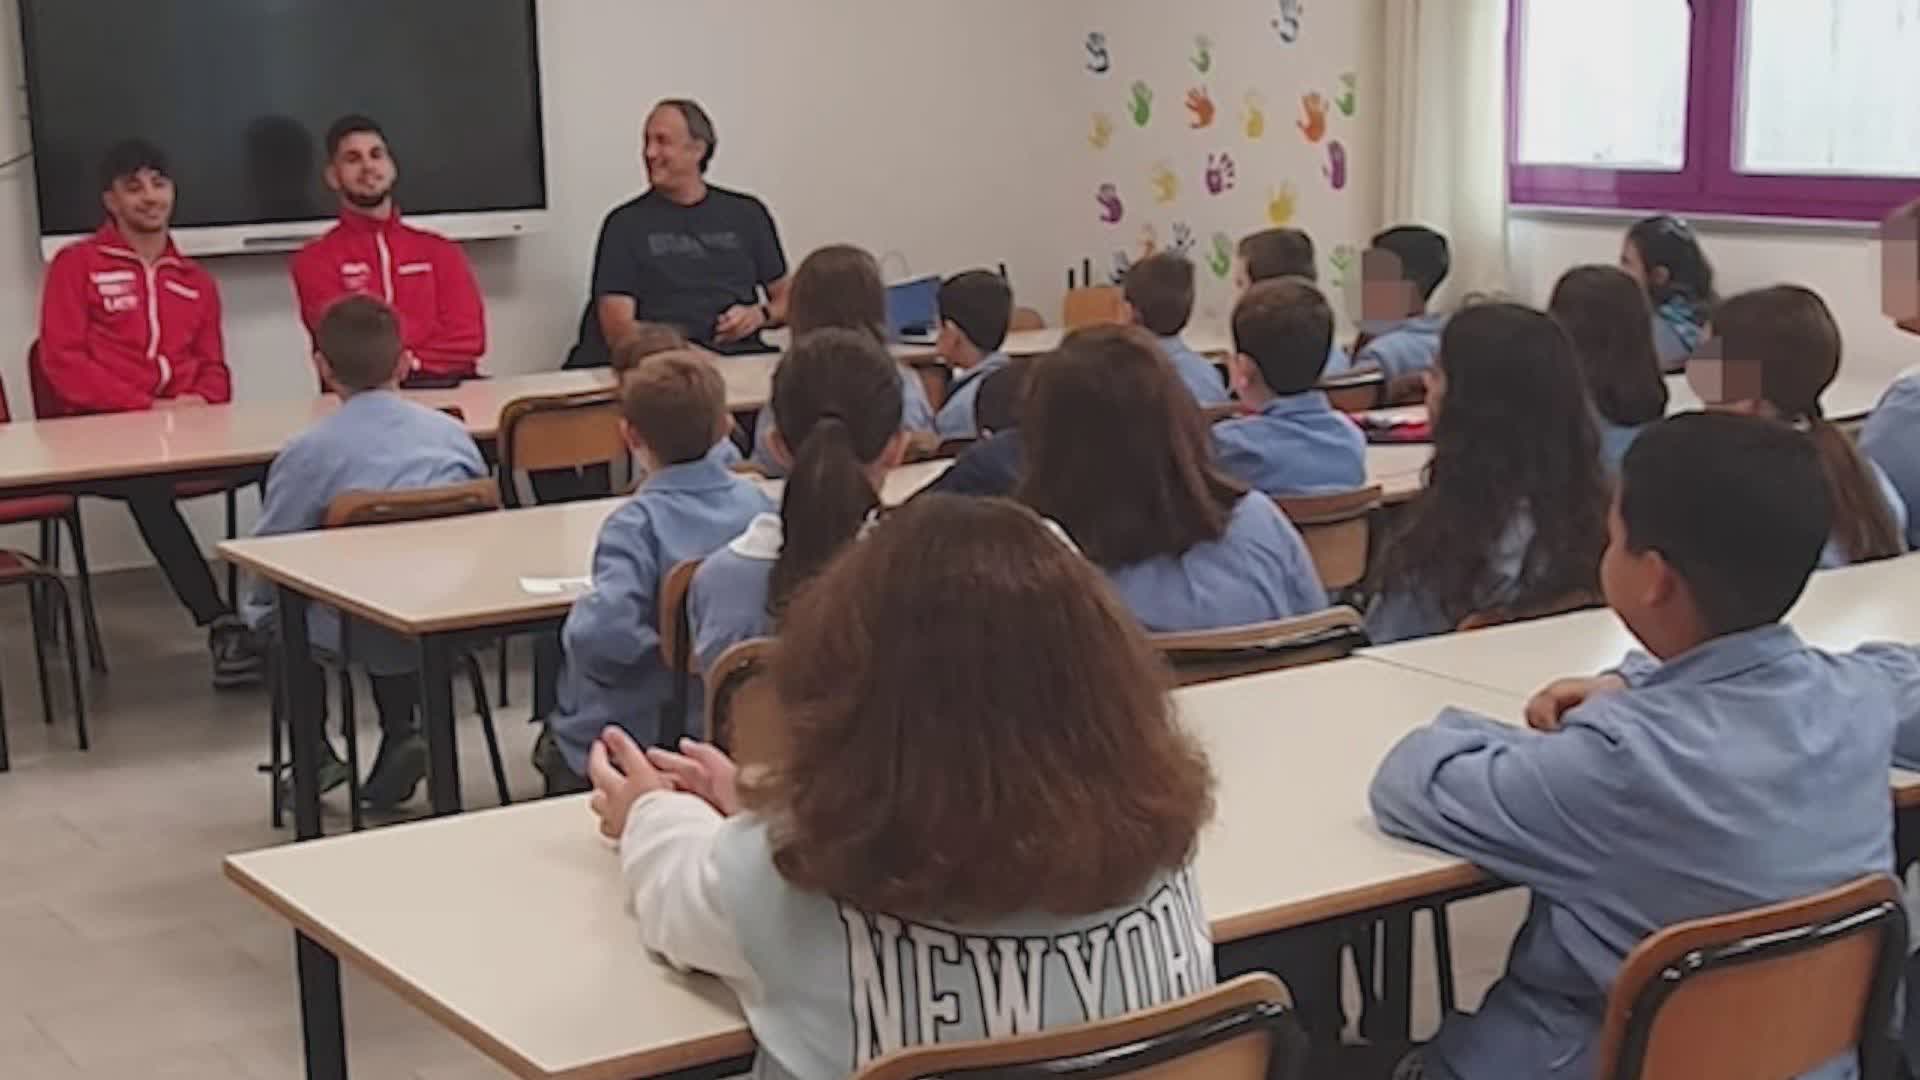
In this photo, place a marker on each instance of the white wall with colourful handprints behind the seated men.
(946, 134)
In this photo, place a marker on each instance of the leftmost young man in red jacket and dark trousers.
(130, 324)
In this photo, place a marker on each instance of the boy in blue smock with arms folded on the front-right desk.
(1729, 770)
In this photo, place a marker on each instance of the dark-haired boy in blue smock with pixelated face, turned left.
(1399, 337)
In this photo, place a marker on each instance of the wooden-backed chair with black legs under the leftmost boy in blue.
(387, 508)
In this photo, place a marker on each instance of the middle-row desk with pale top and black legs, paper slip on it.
(469, 591)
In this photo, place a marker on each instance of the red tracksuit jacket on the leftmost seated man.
(116, 335)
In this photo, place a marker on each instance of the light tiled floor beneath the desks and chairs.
(124, 952)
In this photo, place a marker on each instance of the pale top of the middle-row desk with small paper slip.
(473, 574)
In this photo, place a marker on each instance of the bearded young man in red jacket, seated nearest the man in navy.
(421, 276)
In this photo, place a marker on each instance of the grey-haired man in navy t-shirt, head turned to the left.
(686, 255)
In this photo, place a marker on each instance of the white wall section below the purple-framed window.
(1840, 262)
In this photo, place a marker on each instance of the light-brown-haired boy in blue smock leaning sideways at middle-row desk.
(690, 504)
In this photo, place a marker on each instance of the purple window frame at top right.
(1710, 182)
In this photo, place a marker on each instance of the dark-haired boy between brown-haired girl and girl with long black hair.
(1295, 445)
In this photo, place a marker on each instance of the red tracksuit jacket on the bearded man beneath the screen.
(423, 276)
